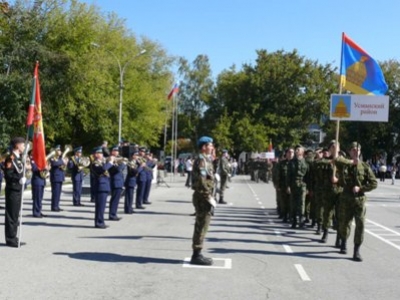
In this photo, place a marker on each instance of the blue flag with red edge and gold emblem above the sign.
(359, 72)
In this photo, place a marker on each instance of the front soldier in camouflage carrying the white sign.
(356, 178)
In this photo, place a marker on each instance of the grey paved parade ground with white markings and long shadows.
(144, 255)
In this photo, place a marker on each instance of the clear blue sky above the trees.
(230, 31)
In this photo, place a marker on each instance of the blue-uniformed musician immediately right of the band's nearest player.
(117, 184)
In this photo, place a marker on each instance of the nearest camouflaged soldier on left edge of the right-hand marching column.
(297, 172)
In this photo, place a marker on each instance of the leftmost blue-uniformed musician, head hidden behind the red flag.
(38, 183)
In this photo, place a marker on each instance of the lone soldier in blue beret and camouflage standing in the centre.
(204, 203)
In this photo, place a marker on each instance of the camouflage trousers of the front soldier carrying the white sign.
(352, 206)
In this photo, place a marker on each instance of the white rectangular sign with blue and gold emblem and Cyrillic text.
(359, 108)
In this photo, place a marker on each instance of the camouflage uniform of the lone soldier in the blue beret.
(203, 183)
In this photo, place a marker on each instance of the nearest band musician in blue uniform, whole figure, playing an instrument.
(101, 186)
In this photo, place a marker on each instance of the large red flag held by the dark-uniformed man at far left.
(36, 125)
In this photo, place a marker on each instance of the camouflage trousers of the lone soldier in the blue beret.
(203, 218)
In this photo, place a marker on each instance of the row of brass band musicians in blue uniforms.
(106, 176)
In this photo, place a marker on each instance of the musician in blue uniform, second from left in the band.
(57, 177)
